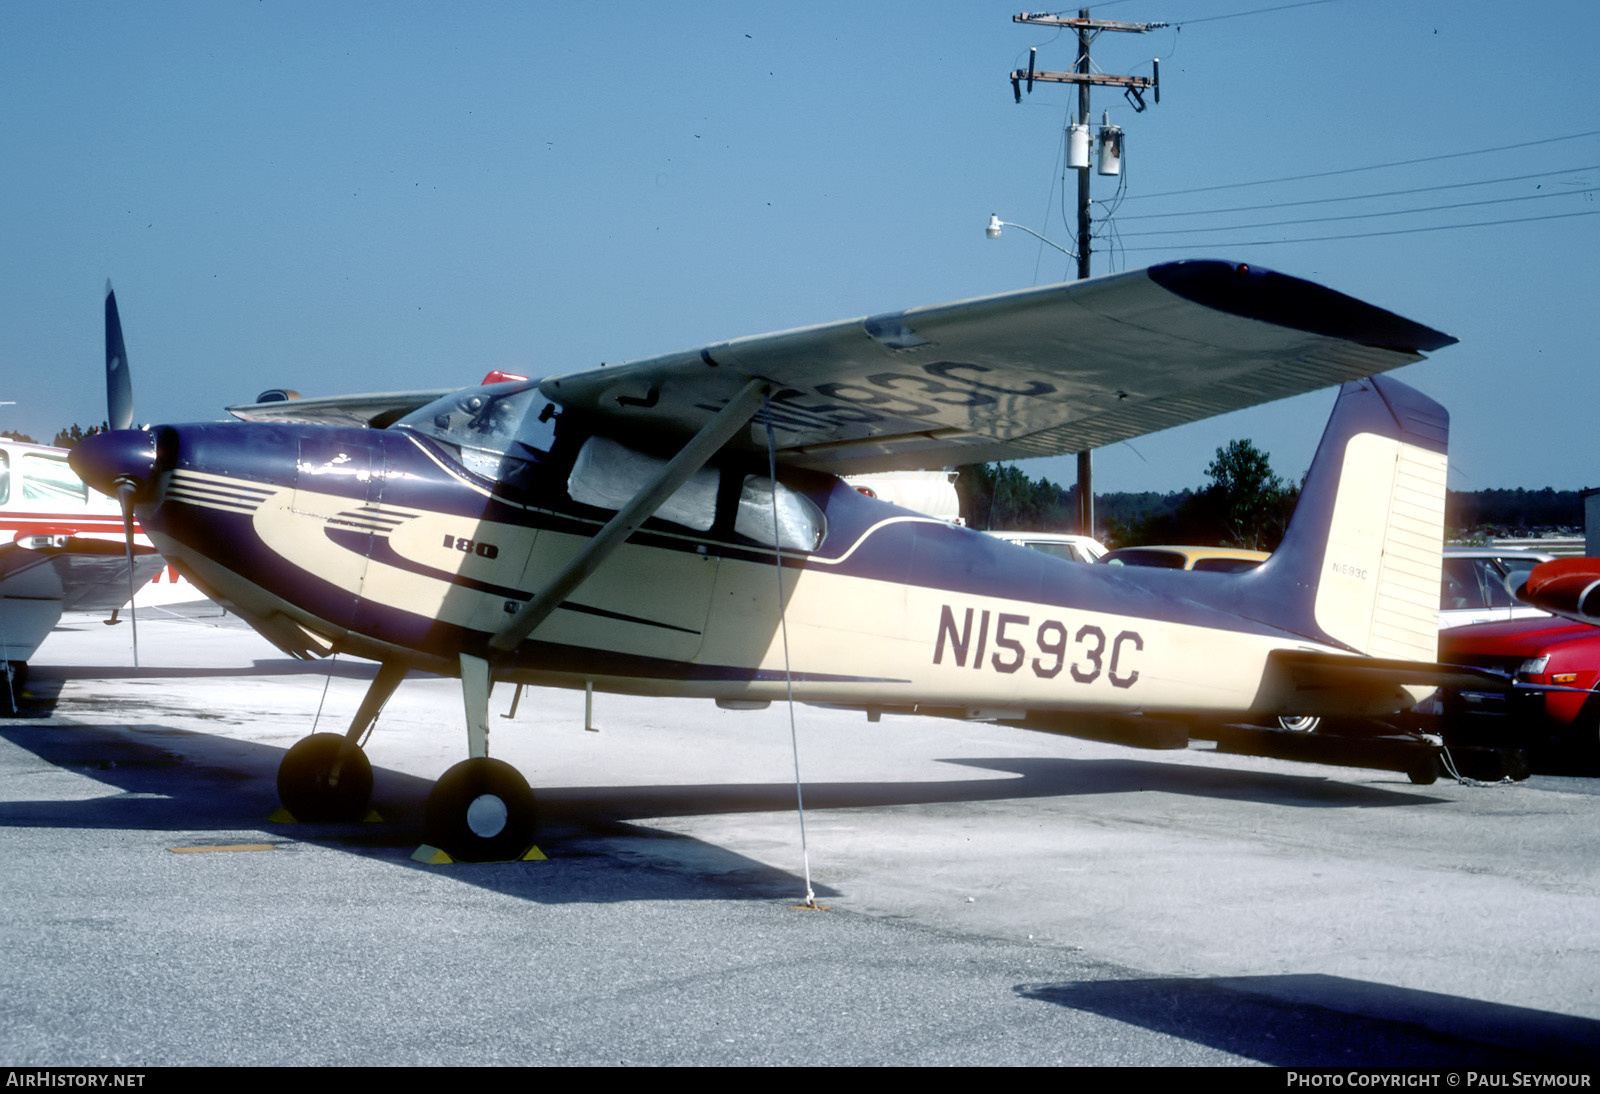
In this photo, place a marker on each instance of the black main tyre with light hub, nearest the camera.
(481, 812)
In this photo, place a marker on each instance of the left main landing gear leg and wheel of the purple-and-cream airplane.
(327, 777)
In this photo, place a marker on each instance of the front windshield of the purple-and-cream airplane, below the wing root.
(486, 425)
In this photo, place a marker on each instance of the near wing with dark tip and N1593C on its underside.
(1041, 372)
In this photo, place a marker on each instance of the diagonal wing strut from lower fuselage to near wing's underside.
(729, 421)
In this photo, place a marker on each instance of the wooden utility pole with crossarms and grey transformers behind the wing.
(1134, 89)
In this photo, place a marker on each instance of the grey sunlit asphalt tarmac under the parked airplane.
(991, 896)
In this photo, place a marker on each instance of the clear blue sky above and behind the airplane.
(401, 196)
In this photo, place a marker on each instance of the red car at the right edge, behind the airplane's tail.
(1543, 652)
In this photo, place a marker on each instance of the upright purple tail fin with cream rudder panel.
(1361, 562)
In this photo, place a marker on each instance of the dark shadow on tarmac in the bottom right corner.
(1329, 1021)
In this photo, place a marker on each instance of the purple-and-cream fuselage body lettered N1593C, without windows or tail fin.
(386, 545)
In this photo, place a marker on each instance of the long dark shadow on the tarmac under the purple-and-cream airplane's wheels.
(186, 781)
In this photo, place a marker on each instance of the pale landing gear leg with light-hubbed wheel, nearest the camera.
(481, 810)
